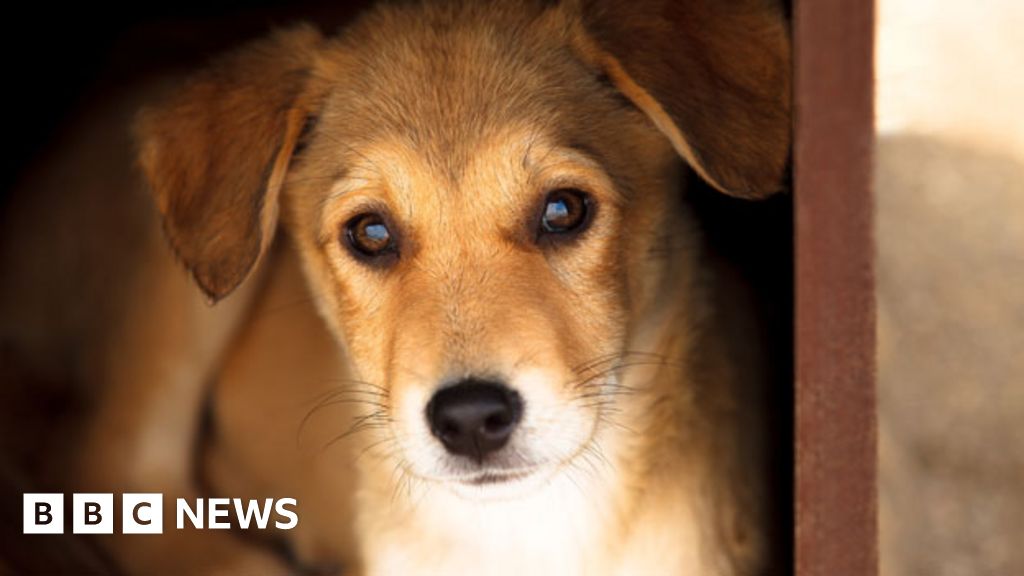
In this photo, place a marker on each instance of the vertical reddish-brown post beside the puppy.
(836, 493)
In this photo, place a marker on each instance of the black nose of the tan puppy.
(475, 418)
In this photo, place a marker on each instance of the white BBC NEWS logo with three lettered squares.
(144, 514)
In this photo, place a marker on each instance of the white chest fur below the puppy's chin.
(574, 525)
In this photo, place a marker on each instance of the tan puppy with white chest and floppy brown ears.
(517, 357)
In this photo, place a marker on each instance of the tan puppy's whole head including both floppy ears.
(486, 203)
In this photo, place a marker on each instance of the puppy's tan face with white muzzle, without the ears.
(478, 238)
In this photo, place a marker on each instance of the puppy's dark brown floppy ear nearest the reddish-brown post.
(713, 75)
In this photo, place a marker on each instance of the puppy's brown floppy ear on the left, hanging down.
(216, 155)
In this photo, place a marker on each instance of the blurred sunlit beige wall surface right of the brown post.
(950, 186)
